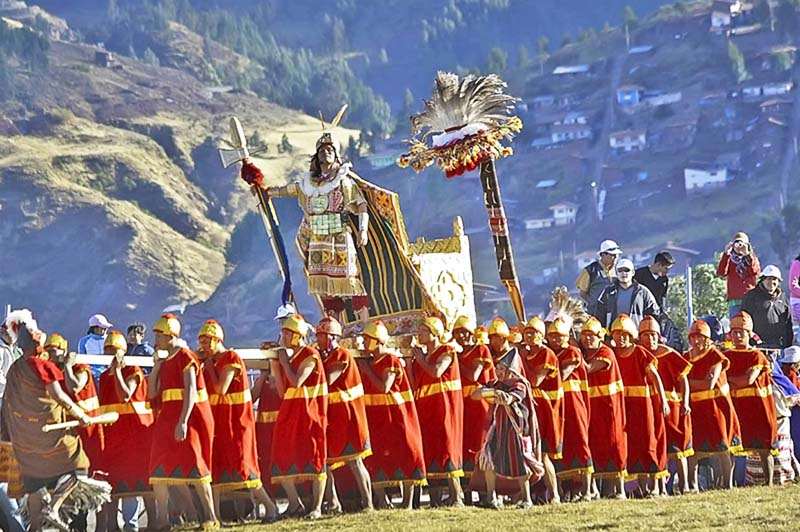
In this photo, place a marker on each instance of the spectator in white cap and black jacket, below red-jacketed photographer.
(769, 308)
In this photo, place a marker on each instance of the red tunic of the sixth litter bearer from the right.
(576, 456)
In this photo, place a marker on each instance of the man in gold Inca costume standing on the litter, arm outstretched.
(335, 221)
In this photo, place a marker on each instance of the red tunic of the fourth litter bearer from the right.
(643, 456)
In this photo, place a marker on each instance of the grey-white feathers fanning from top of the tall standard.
(456, 103)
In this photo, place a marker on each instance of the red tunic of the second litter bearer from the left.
(130, 437)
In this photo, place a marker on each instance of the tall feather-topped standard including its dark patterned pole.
(465, 120)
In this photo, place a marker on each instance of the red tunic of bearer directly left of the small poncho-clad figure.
(476, 413)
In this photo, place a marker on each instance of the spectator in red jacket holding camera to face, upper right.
(739, 265)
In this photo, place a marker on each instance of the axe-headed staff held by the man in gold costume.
(239, 152)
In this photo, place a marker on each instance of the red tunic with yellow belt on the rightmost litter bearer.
(754, 403)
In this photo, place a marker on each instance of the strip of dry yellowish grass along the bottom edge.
(741, 510)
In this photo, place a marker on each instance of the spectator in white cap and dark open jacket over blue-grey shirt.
(625, 296)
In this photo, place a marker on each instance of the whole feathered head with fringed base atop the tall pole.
(467, 118)
